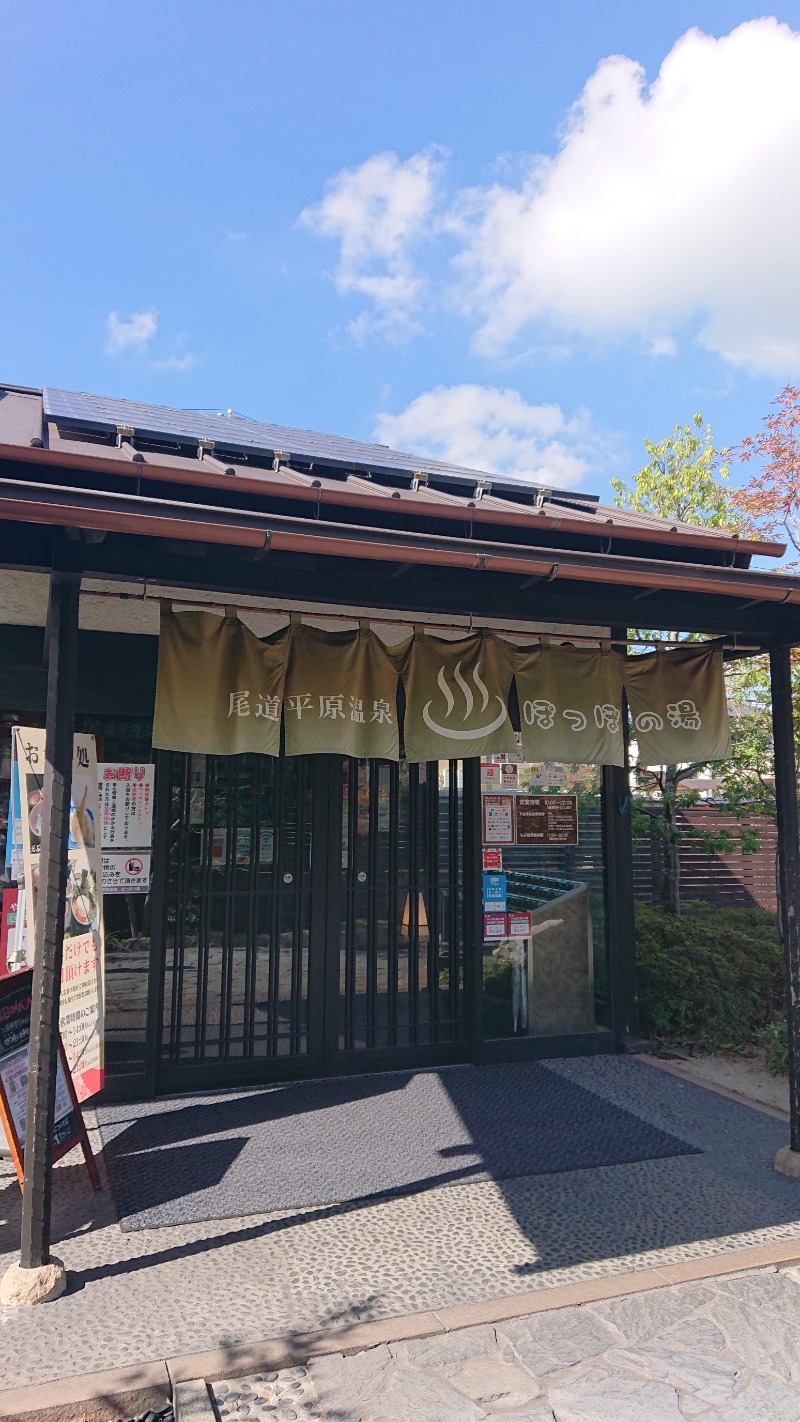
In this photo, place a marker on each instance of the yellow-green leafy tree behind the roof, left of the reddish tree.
(683, 483)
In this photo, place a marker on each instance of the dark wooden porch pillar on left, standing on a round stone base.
(62, 655)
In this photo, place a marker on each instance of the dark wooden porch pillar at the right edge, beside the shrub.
(788, 865)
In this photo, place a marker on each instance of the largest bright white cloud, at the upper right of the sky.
(666, 208)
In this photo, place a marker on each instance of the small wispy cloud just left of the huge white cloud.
(377, 213)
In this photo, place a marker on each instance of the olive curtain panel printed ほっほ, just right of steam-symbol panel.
(571, 705)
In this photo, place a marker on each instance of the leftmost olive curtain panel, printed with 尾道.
(220, 690)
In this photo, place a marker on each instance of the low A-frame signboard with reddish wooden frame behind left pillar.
(15, 1071)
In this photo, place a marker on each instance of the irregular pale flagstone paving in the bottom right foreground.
(721, 1352)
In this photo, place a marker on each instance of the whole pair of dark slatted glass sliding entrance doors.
(312, 918)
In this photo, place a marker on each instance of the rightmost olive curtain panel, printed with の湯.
(679, 706)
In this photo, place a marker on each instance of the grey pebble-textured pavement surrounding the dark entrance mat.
(193, 1289)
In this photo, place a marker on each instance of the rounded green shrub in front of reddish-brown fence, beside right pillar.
(711, 978)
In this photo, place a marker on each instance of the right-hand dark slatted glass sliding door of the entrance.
(401, 919)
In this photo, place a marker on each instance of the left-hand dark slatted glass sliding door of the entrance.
(237, 915)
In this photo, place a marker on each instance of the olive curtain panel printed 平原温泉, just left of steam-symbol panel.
(342, 692)
